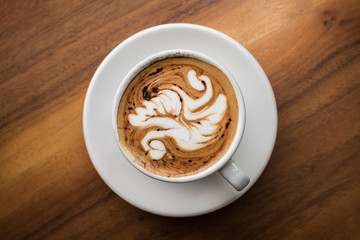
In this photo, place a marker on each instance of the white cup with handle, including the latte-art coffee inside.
(179, 116)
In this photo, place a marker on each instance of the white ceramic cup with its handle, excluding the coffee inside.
(225, 165)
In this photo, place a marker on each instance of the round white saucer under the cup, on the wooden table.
(179, 199)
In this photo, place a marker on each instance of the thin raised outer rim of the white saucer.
(123, 44)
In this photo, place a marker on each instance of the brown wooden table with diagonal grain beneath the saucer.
(50, 50)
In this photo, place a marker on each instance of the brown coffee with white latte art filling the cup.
(177, 117)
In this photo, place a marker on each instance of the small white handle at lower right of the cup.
(235, 175)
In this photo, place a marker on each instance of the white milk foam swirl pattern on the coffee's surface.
(191, 122)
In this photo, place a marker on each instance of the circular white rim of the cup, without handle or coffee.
(180, 53)
